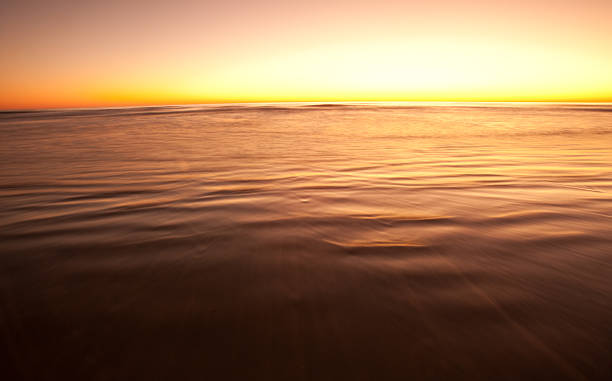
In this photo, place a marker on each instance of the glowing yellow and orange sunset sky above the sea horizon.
(65, 53)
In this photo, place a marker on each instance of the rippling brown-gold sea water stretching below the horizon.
(307, 242)
